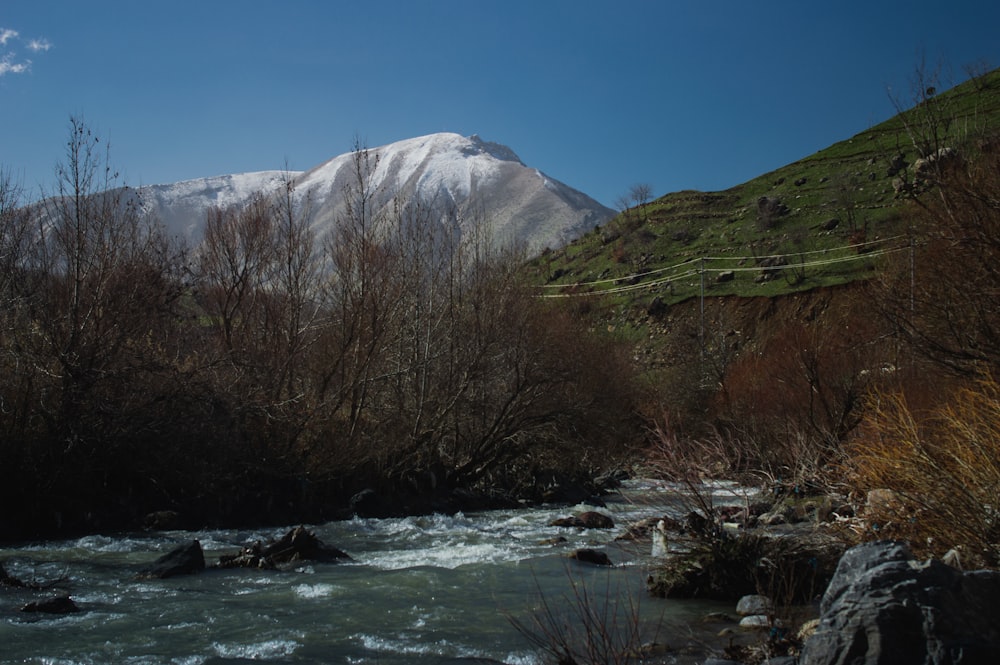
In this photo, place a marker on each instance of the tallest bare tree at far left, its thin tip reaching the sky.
(105, 272)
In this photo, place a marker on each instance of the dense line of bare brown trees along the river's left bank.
(274, 370)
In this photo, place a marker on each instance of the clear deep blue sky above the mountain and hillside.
(696, 94)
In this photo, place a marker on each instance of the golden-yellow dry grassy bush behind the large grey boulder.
(943, 465)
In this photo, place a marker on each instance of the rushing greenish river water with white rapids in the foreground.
(433, 589)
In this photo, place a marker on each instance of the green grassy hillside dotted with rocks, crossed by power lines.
(821, 221)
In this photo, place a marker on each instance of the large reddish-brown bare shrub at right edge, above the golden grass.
(931, 294)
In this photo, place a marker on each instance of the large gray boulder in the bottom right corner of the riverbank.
(882, 607)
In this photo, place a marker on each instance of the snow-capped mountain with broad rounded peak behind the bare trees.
(478, 178)
